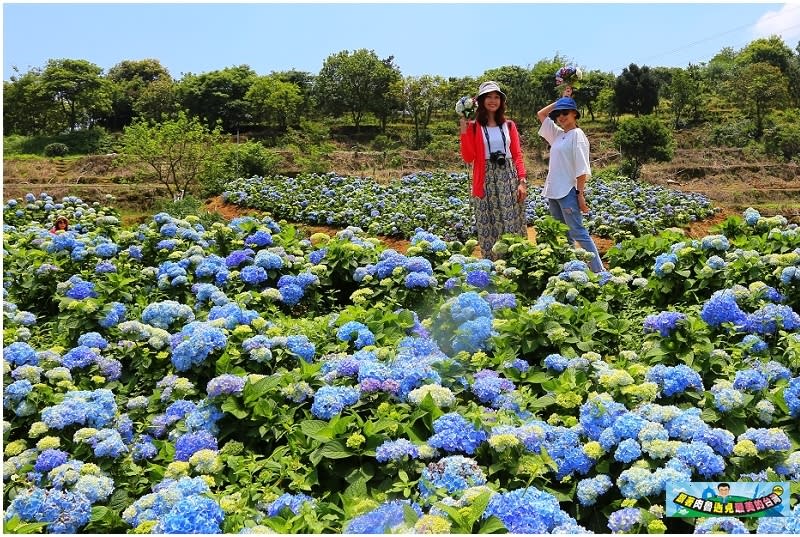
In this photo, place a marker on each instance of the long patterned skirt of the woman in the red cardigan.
(498, 212)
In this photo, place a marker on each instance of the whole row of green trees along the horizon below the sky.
(69, 95)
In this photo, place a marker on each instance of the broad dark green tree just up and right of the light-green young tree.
(218, 96)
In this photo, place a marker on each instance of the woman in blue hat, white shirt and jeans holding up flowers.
(568, 170)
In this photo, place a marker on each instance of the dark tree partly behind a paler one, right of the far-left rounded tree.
(130, 78)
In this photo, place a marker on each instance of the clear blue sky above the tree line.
(433, 38)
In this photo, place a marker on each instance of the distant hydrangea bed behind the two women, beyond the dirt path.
(439, 202)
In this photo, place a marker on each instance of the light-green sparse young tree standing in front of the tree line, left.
(175, 153)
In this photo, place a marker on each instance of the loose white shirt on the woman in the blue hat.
(569, 158)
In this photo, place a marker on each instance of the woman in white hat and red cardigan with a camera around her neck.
(491, 143)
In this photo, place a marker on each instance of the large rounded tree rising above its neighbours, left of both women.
(353, 83)
